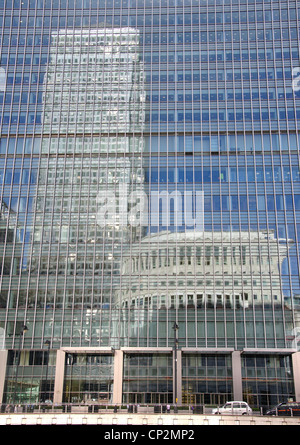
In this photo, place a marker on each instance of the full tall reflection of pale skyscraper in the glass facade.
(93, 97)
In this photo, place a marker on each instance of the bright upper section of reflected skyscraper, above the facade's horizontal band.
(94, 83)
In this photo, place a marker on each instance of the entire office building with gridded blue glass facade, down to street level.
(149, 169)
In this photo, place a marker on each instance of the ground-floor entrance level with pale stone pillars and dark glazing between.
(149, 376)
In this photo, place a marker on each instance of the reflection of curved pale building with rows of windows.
(197, 269)
